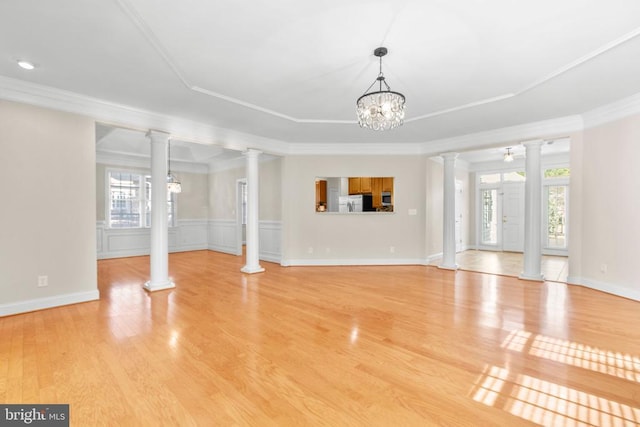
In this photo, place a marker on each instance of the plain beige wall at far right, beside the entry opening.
(610, 206)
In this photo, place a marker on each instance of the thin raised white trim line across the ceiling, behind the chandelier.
(141, 24)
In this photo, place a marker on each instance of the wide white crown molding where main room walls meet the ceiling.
(189, 131)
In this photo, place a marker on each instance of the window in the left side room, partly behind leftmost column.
(129, 200)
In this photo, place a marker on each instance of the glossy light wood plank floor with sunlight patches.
(327, 346)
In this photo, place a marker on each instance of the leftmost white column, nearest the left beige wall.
(159, 226)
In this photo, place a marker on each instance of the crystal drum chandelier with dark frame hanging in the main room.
(382, 109)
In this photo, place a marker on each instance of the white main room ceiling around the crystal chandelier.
(290, 71)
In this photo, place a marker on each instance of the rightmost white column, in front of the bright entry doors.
(532, 264)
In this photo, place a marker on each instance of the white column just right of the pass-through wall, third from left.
(449, 213)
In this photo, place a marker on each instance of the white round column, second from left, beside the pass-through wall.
(253, 262)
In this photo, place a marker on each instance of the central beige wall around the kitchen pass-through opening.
(352, 236)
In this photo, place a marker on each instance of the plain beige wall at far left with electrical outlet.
(48, 219)
